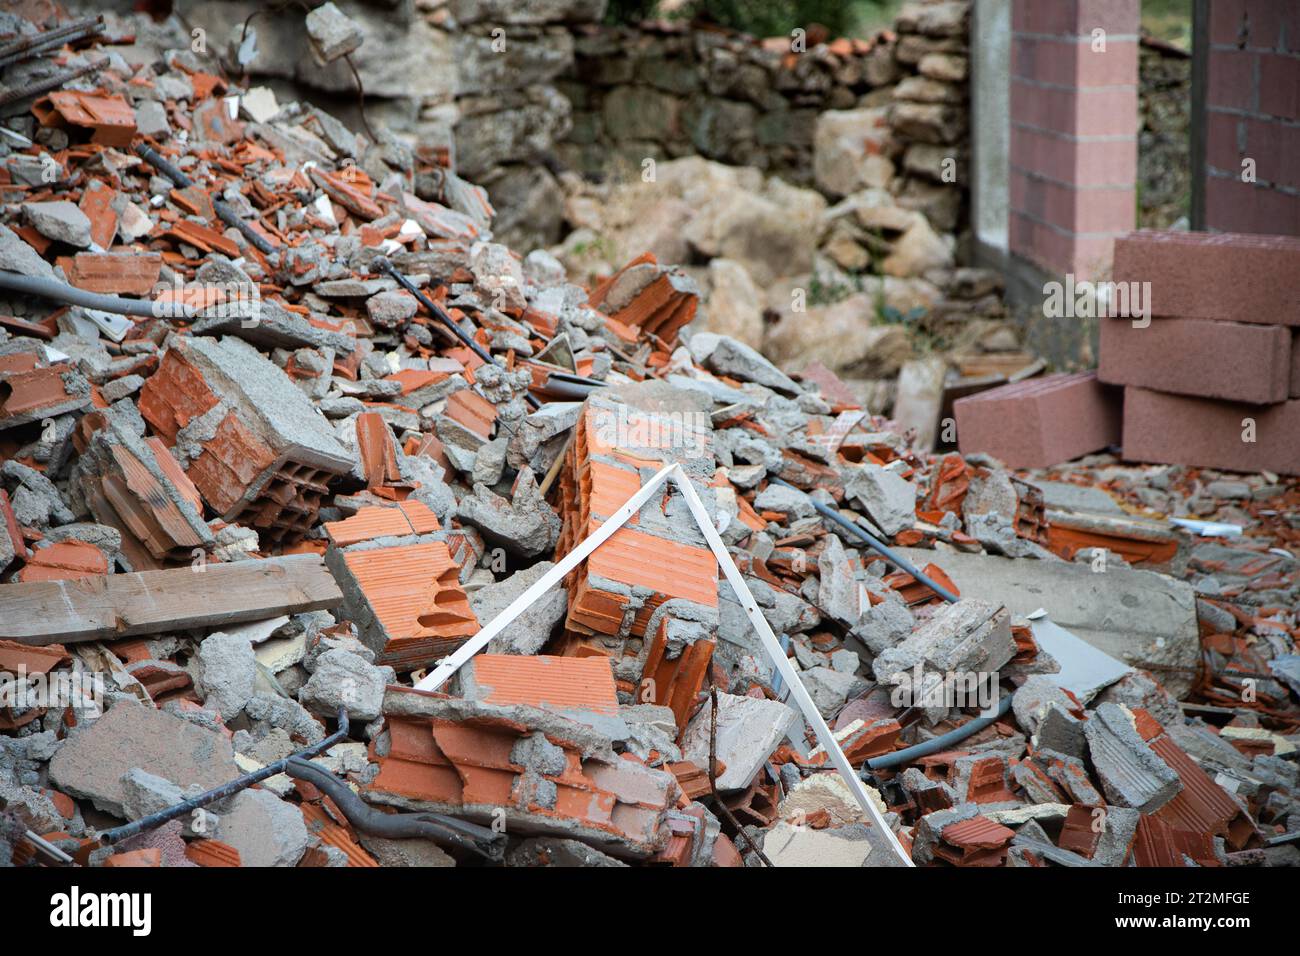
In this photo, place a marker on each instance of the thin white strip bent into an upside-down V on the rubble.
(618, 520)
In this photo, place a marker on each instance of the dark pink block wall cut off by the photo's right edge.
(1253, 113)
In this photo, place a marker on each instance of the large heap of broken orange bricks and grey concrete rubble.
(288, 439)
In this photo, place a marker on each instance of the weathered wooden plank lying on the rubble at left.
(148, 603)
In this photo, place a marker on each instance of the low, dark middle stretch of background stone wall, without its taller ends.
(664, 92)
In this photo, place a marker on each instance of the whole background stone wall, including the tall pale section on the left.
(517, 92)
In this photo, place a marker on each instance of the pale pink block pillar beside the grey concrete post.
(1074, 132)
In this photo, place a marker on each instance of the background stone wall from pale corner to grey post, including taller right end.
(887, 113)
